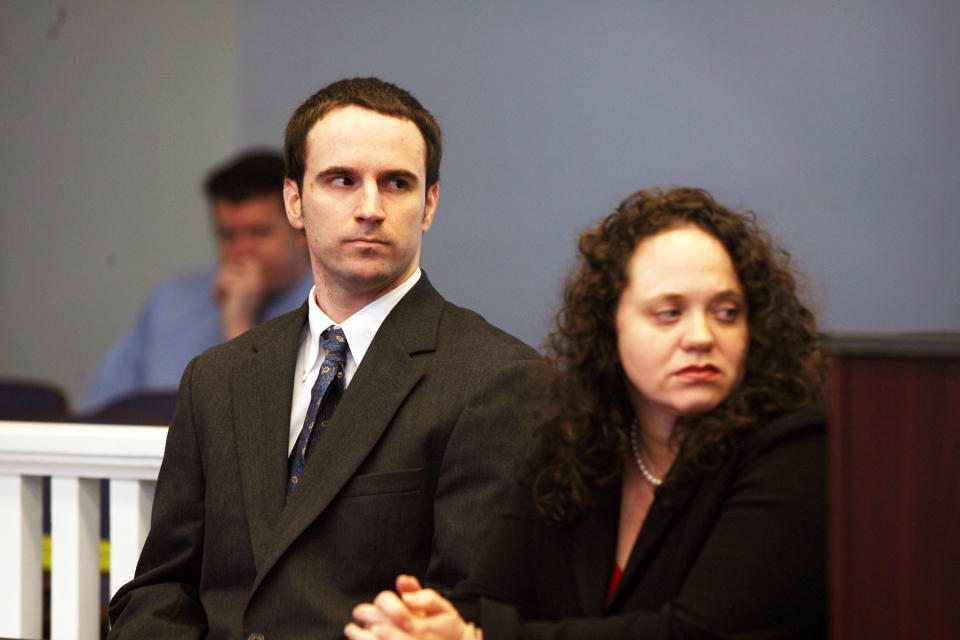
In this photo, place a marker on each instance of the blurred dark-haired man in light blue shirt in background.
(264, 271)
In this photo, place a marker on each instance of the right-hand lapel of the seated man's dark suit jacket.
(378, 389)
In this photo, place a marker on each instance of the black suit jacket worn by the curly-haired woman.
(742, 557)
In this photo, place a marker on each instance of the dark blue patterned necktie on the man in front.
(323, 400)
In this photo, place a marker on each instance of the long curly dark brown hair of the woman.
(586, 434)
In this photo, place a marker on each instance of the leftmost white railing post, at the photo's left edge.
(21, 549)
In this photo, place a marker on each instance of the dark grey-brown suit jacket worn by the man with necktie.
(413, 466)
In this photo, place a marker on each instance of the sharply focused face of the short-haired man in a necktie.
(364, 203)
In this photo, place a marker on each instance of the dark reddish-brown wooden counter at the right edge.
(894, 486)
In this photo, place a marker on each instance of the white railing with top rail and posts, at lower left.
(76, 457)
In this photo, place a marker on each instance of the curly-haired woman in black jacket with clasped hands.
(679, 487)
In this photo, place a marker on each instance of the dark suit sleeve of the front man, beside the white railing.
(162, 601)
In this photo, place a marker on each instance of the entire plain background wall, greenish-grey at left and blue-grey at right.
(837, 122)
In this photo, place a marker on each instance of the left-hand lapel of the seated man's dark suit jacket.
(262, 397)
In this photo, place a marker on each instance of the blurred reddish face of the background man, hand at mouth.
(257, 229)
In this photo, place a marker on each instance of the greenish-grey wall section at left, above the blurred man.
(110, 112)
